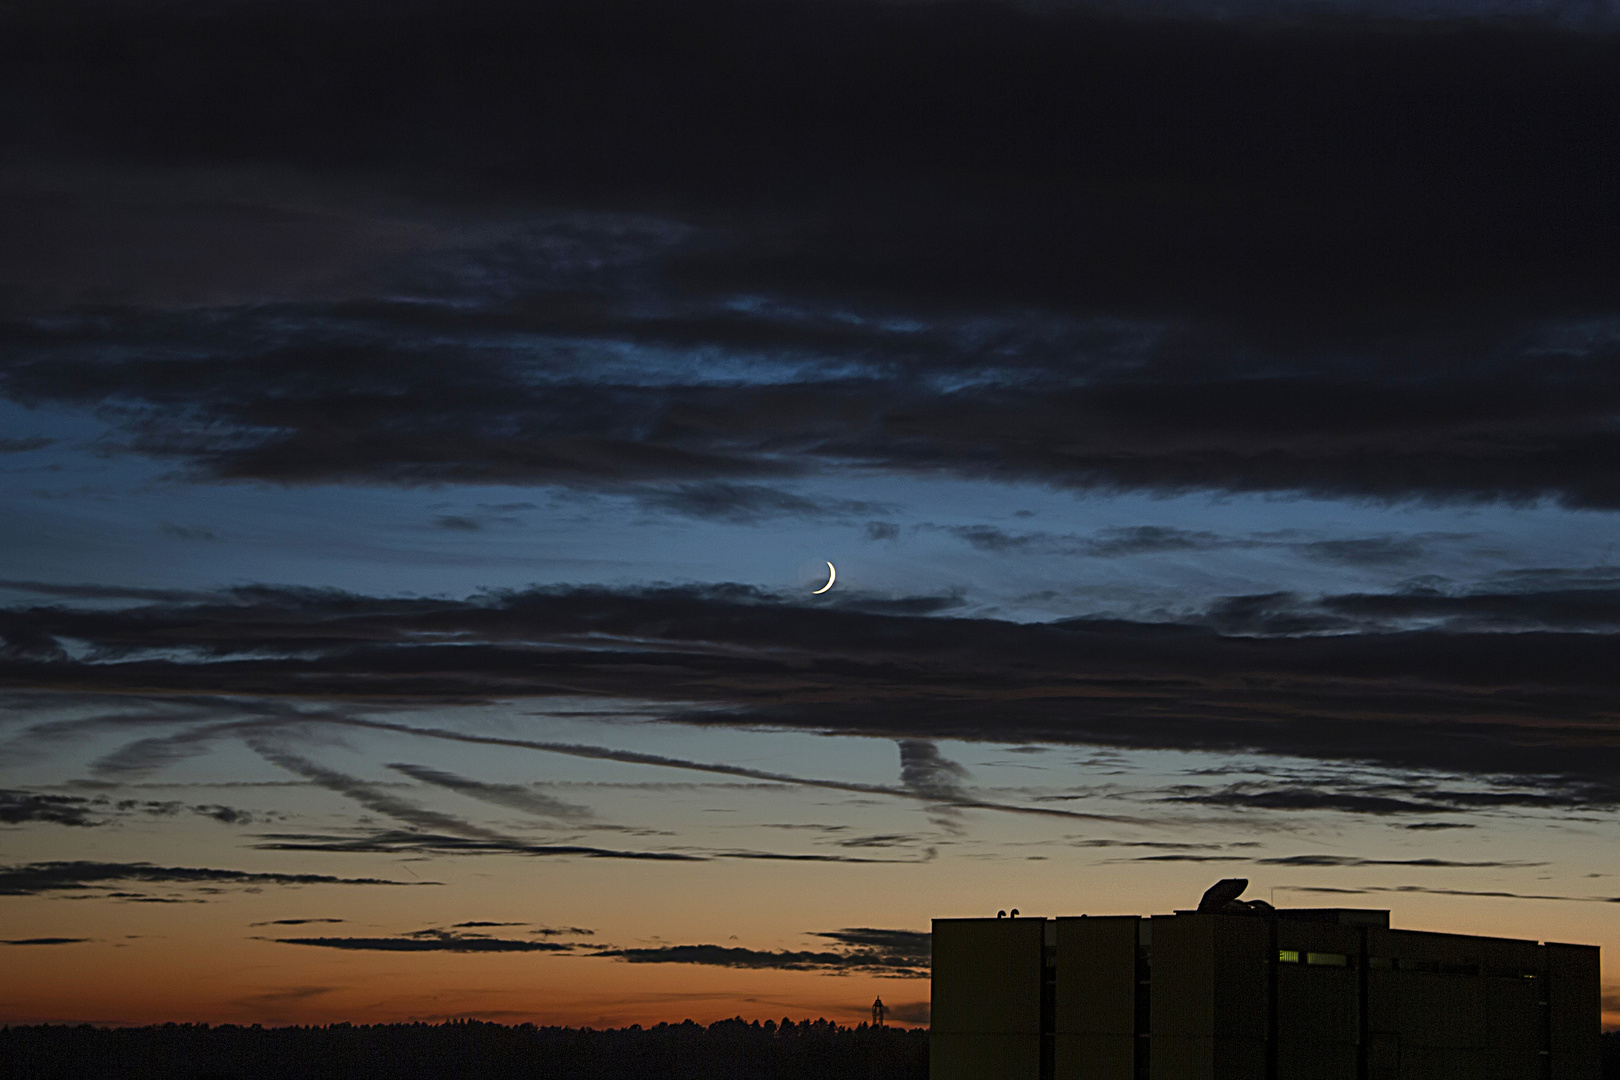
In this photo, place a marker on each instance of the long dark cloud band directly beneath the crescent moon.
(1535, 705)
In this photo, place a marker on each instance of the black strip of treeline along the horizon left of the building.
(730, 1050)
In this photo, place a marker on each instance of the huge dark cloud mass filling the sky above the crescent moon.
(1020, 242)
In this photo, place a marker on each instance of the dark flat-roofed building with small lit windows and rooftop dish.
(1243, 992)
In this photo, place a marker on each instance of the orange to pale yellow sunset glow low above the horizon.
(767, 869)
